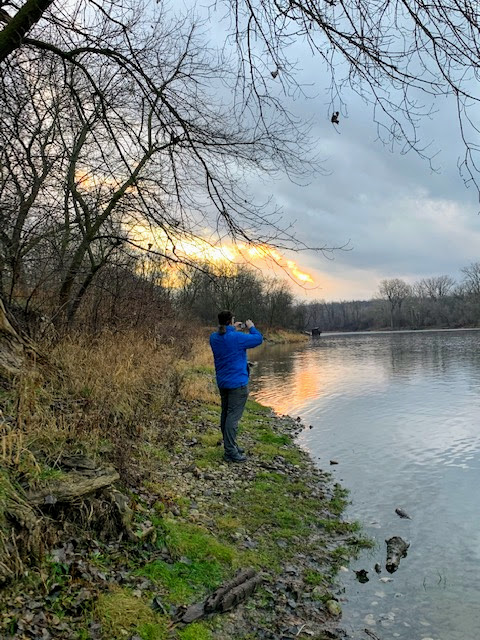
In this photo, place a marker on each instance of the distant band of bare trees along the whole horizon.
(140, 290)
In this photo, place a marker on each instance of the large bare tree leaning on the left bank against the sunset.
(125, 127)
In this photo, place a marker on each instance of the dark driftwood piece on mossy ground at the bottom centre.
(224, 598)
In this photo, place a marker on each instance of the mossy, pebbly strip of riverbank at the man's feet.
(201, 520)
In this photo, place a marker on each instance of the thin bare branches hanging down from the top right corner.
(398, 55)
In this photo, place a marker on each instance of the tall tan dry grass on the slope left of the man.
(97, 393)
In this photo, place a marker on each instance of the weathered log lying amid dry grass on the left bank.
(71, 486)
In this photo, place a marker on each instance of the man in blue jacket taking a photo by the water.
(229, 346)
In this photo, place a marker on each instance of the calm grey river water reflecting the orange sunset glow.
(401, 415)
